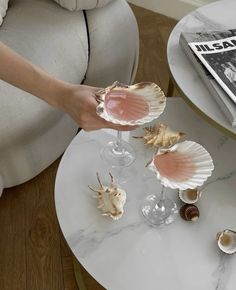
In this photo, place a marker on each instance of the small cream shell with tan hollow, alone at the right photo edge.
(226, 241)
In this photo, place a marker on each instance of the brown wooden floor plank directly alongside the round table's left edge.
(44, 268)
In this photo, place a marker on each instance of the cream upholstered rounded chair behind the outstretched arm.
(33, 134)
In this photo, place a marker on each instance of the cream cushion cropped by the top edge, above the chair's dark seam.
(74, 5)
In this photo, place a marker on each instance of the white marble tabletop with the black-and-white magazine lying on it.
(218, 15)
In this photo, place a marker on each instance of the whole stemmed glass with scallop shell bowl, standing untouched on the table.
(183, 166)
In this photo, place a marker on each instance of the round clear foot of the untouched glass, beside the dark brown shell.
(156, 215)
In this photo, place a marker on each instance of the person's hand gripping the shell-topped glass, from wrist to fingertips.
(79, 101)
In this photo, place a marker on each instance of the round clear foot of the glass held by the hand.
(115, 157)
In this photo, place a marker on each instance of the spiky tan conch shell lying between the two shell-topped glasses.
(160, 135)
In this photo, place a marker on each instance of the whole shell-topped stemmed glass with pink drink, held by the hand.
(128, 105)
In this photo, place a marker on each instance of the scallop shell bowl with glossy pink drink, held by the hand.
(131, 105)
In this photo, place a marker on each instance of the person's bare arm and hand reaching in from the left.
(77, 100)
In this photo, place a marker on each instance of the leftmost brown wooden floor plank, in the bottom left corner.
(12, 240)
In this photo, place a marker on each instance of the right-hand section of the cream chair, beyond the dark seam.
(114, 50)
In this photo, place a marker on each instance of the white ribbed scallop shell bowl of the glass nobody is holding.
(185, 165)
